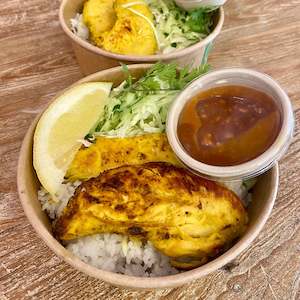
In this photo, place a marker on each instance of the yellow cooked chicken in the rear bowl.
(123, 26)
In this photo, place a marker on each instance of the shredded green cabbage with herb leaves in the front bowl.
(141, 107)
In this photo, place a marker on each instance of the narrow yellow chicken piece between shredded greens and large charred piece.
(109, 153)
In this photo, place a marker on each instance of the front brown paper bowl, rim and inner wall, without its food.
(264, 195)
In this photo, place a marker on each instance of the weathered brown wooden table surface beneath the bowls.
(36, 61)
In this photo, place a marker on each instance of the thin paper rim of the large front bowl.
(119, 279)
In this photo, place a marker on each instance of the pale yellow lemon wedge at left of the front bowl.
(67, 120)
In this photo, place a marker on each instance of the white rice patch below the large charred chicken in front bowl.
(119, 254)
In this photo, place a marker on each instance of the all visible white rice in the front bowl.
(115, 252)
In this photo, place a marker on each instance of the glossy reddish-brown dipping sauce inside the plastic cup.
(228, 125)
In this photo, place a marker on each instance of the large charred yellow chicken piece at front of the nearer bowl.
(187, 218)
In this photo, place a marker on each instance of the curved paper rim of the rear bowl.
(143, 58)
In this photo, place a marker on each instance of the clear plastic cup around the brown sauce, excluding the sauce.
(243, 77)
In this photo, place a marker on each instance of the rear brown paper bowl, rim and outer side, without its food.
(92, 58)
